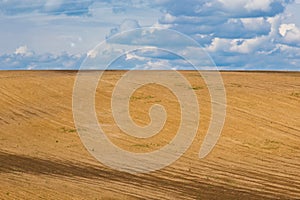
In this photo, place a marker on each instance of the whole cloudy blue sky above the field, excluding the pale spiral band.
(236, 34)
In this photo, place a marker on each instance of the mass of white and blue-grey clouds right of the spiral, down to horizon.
(238, 34)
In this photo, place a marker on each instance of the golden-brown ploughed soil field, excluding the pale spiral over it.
(256, 157)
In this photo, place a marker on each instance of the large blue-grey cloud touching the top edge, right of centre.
(222, 18)
